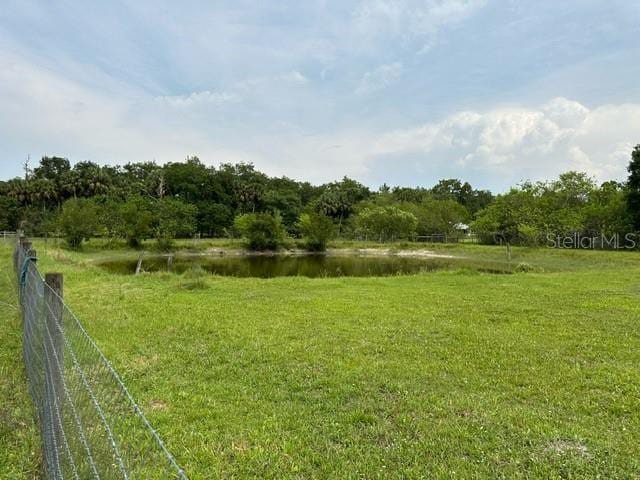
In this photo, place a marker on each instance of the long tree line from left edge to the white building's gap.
(144, 200)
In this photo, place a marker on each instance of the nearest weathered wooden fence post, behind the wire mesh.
(54, 344)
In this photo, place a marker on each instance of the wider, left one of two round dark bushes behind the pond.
(262, 231)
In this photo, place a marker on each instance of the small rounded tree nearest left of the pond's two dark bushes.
(173, 218)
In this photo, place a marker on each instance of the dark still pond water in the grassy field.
(268, 266)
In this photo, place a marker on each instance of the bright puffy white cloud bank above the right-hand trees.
(534, 143)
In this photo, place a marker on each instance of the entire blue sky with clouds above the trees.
(403, 92)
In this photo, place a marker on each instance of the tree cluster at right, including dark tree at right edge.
(534, 213)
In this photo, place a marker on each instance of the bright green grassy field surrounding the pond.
(451, 374)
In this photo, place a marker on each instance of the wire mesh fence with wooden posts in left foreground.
(91, 427)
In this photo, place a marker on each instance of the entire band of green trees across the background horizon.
(138, 201)
